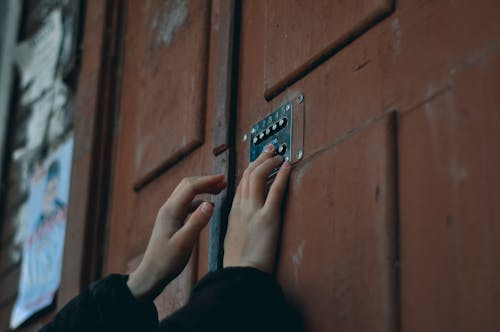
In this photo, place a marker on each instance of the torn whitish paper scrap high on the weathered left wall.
(37, 57)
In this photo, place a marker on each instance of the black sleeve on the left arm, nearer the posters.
(107, 305)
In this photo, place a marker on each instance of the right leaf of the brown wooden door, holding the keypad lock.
(387, 217)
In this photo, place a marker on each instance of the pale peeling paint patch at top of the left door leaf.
(171, 18)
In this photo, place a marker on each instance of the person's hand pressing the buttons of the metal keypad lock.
(254, 220)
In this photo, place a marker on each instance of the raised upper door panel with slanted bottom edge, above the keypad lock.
(300, 33)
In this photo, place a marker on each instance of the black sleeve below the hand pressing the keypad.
(233, 299)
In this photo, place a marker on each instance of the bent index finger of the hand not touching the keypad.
(179, 202)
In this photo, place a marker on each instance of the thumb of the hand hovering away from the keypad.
(190, 231)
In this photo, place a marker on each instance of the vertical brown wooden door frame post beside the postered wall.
(93, 131)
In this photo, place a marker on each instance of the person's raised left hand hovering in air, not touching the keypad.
(173, 237)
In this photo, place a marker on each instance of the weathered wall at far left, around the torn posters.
(31, 133)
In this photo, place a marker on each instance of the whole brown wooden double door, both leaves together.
(391, 220)
